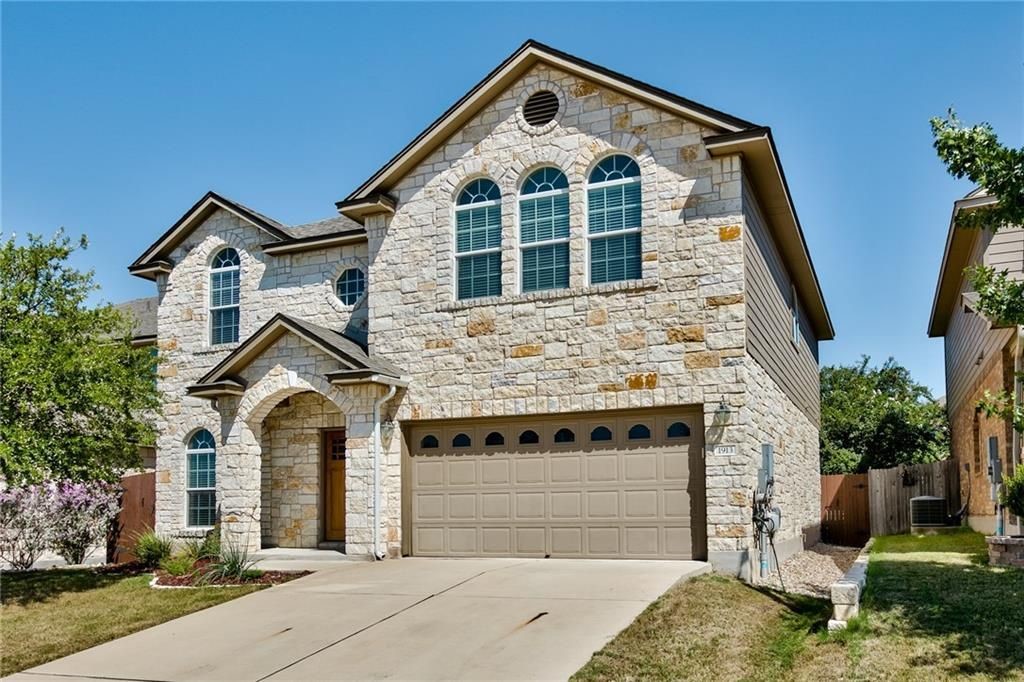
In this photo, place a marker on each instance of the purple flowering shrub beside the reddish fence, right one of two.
(81, 517)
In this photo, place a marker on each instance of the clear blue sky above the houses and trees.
(116, 118)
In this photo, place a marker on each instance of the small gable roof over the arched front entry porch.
(357, 365)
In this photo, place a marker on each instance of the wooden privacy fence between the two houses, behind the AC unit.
(856, 507)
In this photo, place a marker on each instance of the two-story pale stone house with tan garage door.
(562, 322)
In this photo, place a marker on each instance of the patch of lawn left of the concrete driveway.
(46, 615)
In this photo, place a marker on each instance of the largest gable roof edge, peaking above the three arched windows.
(529, 55)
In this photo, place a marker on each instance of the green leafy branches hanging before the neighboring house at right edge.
(975, 153)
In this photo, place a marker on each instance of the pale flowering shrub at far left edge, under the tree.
(26, 525)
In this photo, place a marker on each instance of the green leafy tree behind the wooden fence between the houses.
(878, 417)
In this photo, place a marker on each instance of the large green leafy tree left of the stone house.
(74, 392)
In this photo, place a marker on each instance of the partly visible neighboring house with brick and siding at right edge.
(980, 357)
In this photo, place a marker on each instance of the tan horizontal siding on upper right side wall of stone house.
(794, 367)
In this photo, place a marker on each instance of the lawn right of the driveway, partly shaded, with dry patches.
(933, 611)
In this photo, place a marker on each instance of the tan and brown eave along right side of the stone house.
(762, 162)
